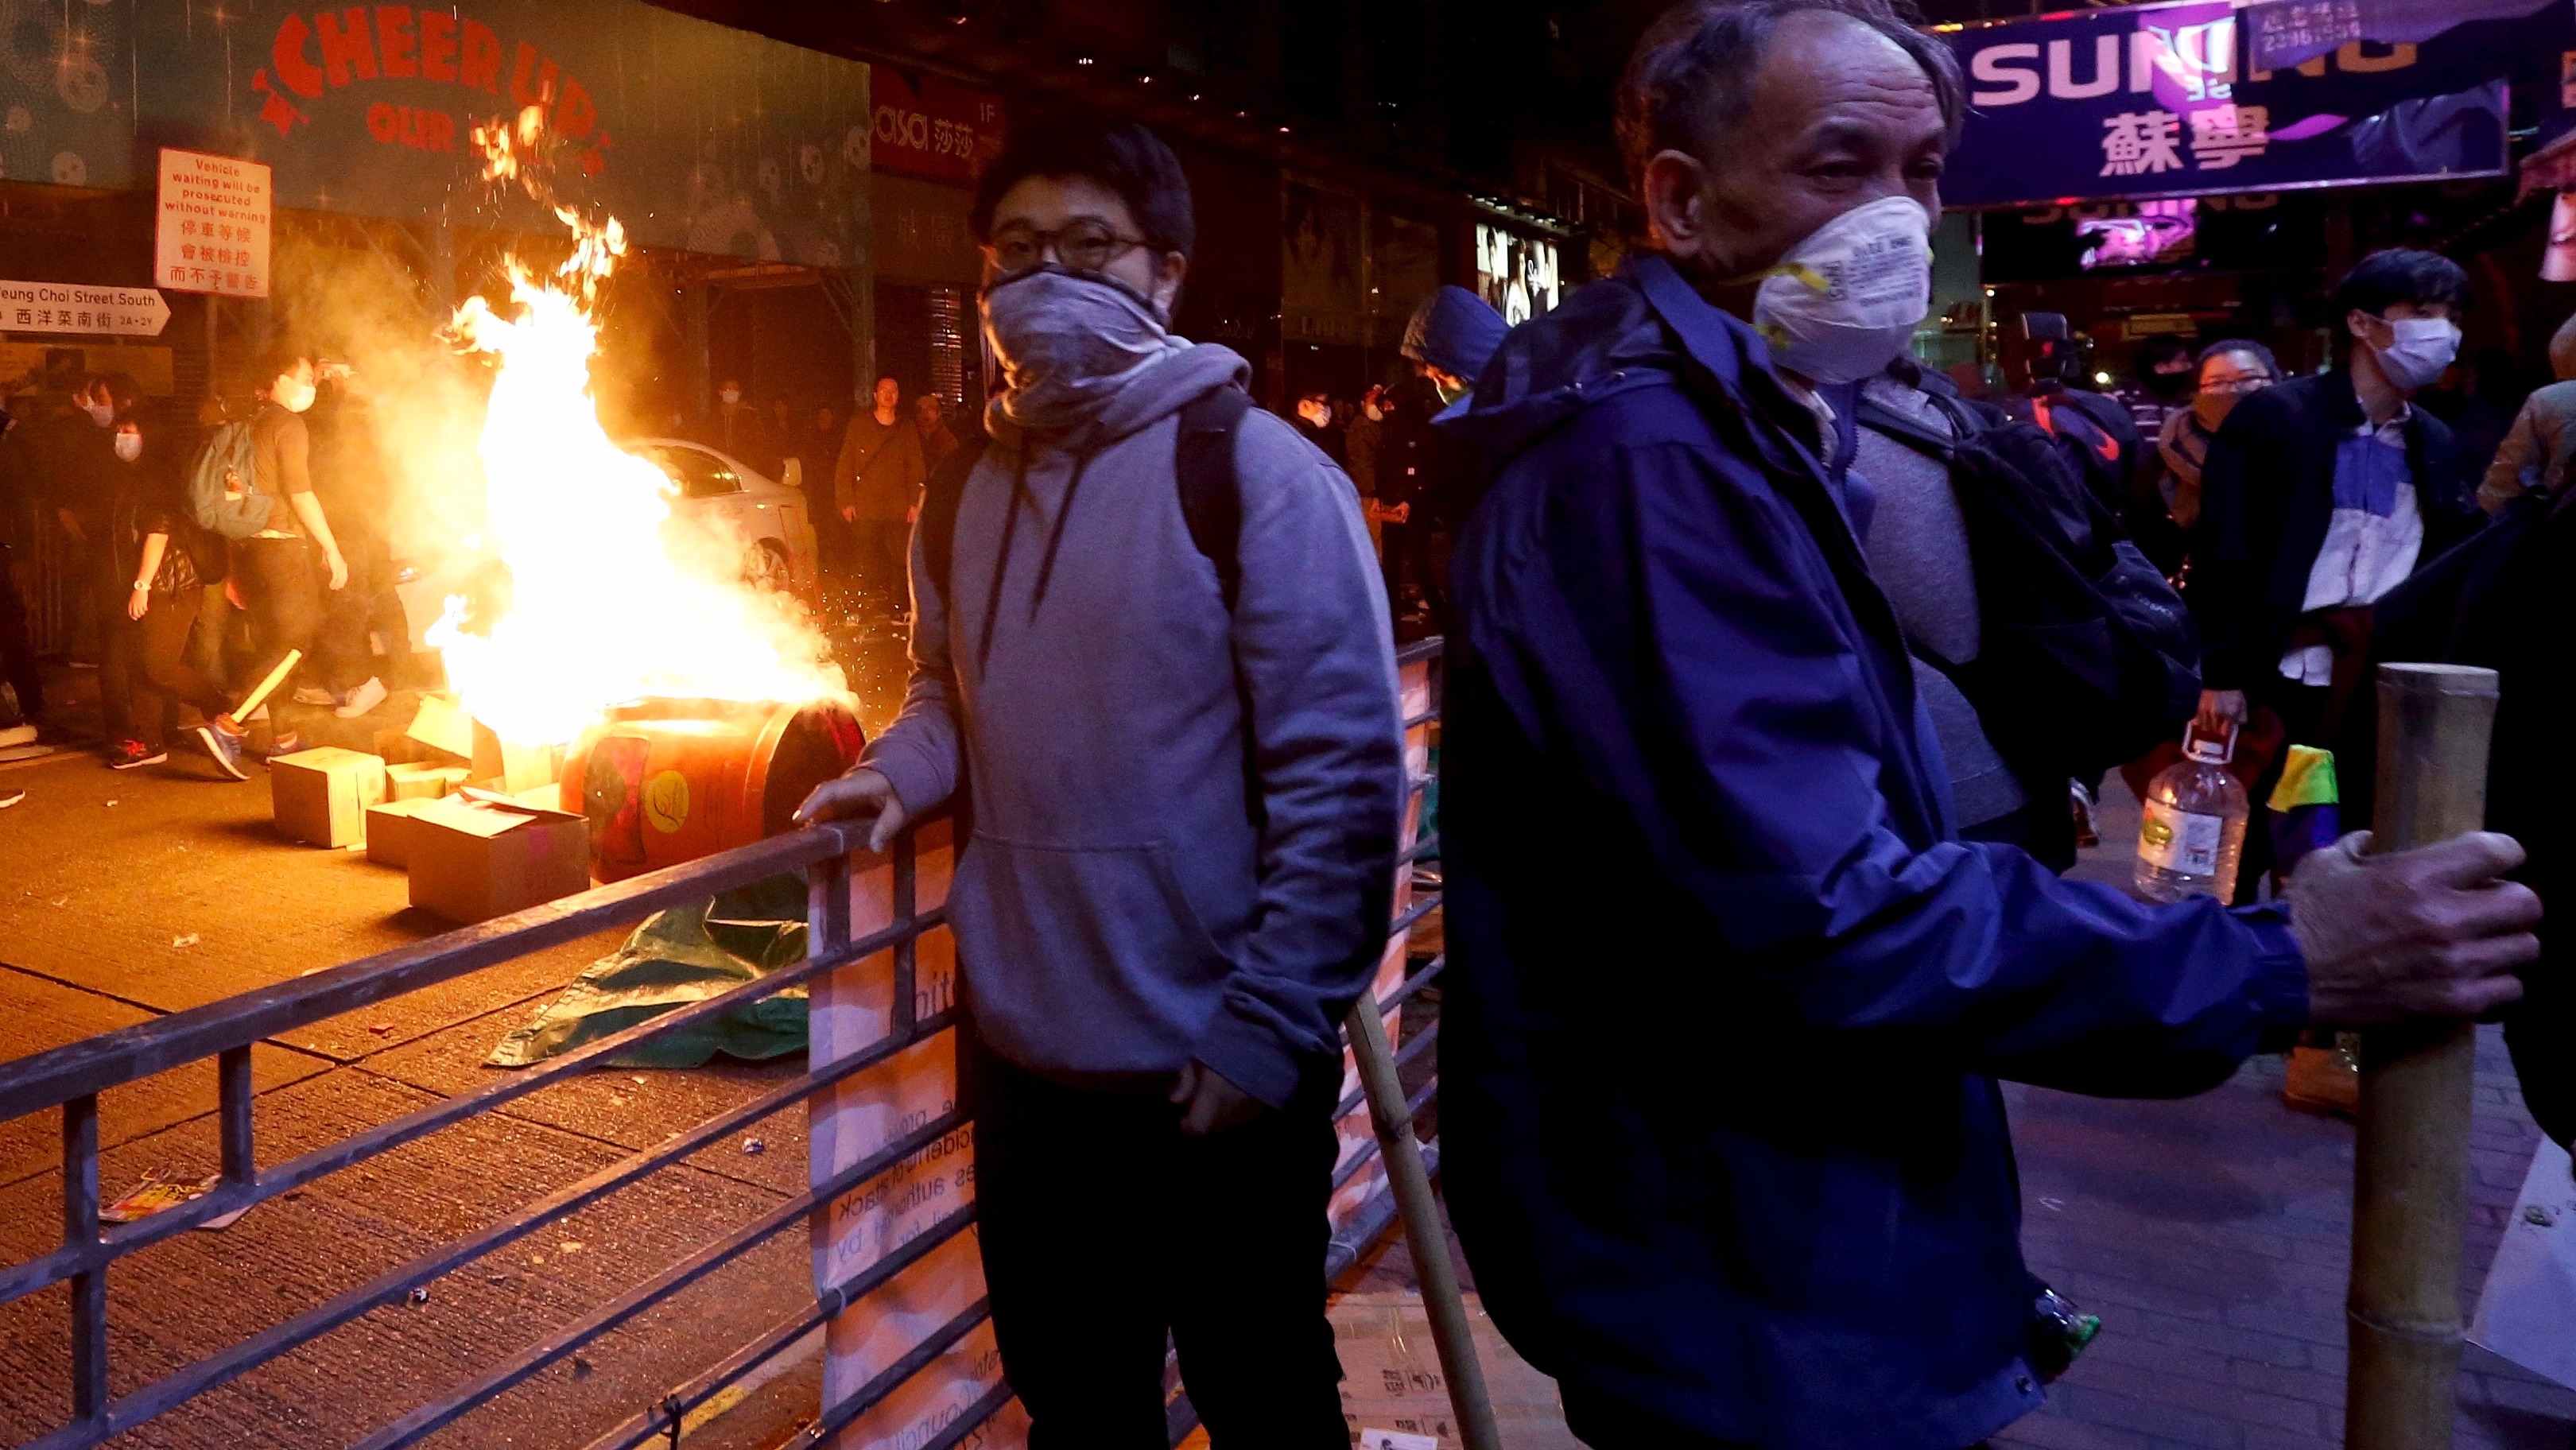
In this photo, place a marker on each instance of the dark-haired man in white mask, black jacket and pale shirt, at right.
(2317, 498)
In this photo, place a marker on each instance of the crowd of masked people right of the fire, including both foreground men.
(1743, 720)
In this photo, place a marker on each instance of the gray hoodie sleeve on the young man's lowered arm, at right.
(1328, 756)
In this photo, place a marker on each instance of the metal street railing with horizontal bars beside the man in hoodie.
(872, 1083)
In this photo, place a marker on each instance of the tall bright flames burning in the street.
(604, 604)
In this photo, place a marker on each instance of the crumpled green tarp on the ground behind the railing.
(671, 962)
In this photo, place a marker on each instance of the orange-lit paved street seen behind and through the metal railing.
(107, 877)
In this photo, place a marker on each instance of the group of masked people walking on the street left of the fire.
(202, 555)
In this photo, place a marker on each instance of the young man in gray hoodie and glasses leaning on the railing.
(1184, 777)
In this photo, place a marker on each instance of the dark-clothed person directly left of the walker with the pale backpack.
(146, 640)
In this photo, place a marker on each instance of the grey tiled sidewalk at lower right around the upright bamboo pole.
(2214, 1238)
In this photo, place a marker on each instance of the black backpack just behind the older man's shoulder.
(2085, 655)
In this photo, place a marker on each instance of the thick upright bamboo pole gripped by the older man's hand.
(2410, 1176)
